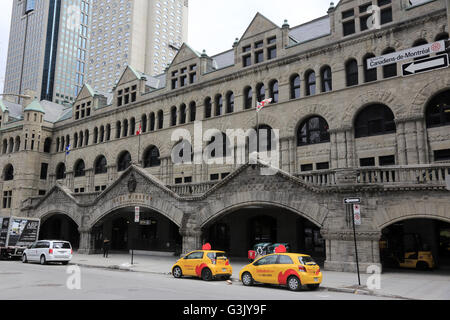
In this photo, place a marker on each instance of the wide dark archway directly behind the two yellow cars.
(237, 231)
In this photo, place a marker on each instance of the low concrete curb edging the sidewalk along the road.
(324, 288)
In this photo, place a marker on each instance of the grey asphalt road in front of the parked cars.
(36, 282)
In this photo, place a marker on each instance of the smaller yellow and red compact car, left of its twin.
(205, 264)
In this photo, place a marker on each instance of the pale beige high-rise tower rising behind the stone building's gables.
(141, 33)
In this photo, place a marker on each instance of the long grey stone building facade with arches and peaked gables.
(344, 131)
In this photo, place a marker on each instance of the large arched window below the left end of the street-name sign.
(374, 120)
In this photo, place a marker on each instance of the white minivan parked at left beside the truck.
(45, 251)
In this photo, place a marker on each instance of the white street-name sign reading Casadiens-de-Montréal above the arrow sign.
(411, 53)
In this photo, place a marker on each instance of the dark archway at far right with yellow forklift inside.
(406, 244)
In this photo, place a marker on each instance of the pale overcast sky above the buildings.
(213, 24)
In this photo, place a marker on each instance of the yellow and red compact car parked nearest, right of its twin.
(290, 269)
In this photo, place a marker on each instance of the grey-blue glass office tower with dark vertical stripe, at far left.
(48, 48)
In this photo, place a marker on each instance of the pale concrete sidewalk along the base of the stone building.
(406, 284)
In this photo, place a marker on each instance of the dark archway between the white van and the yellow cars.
(154, 232)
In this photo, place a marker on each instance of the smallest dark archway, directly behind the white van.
(60, 227)
